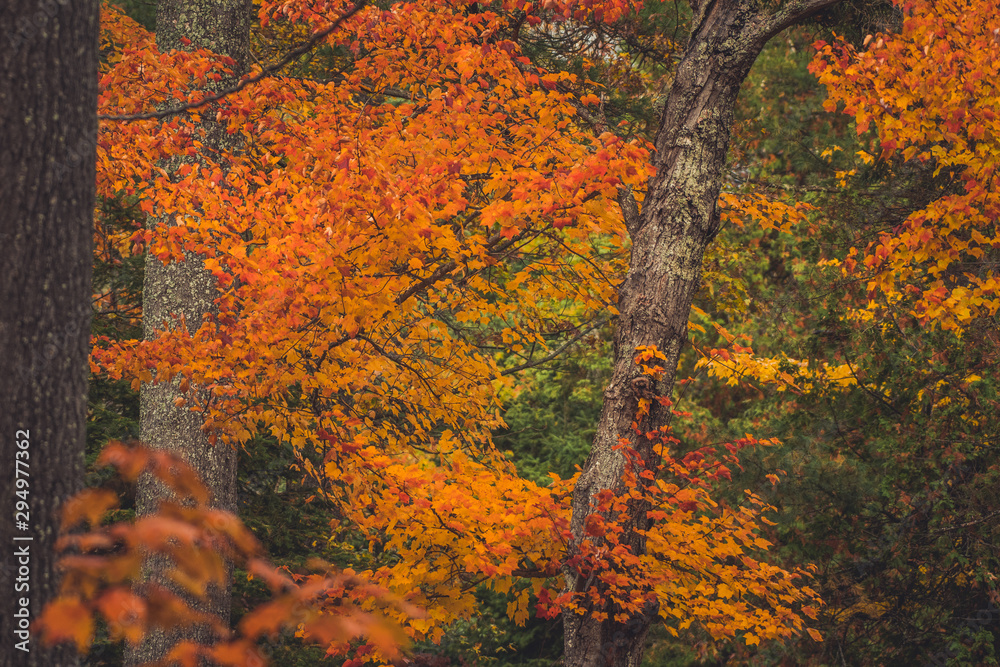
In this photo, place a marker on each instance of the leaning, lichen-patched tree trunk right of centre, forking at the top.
(669, 237)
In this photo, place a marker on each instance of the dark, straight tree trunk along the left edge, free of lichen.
(48, 140)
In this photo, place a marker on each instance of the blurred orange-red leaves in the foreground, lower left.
(103, 562)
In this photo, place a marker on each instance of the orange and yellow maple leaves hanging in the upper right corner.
(931, 93)
